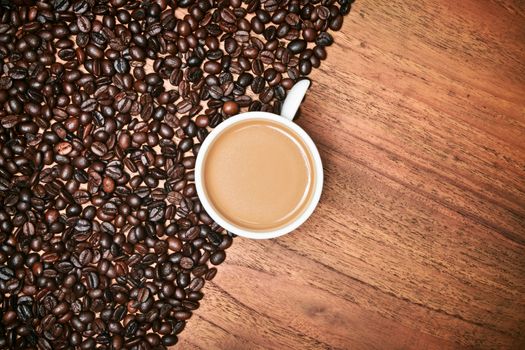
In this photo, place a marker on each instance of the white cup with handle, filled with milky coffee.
(258, 174)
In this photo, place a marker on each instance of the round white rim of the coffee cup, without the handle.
(318, 186)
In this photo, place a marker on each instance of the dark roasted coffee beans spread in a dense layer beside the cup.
(103, 241)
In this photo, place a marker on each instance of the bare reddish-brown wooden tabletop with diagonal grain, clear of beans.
(419, 239)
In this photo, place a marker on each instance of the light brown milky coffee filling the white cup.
(259, 175)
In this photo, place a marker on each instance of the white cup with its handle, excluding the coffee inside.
(289, 109)
